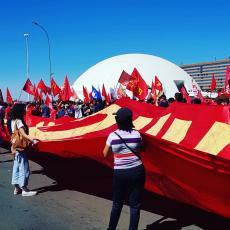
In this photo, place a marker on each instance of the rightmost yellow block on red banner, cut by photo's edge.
(215, 139)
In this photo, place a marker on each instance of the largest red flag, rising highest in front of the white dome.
(137, 85)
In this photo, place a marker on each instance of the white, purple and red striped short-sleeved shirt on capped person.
(123, 157)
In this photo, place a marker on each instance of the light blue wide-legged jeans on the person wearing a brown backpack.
(21, 171)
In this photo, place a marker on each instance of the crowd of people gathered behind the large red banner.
(79, 108)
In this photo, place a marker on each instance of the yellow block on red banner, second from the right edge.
(177, 131)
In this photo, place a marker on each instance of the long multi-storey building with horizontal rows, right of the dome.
(202, 73)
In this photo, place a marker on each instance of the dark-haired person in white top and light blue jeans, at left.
(21, 172)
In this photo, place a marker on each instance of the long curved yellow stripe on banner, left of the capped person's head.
(54, 135)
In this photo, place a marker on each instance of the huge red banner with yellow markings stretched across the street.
(186, 152)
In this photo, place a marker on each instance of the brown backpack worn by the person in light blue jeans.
(17, 140)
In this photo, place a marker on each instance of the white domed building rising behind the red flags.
(109, 71)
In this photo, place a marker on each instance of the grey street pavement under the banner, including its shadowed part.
(76, 194)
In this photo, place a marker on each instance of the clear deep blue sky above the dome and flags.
(85, 32)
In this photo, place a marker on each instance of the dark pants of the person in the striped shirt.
(130, 182)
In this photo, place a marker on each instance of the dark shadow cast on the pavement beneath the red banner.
(90, 177)
